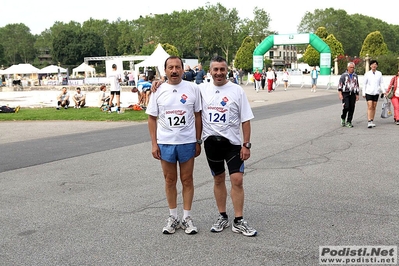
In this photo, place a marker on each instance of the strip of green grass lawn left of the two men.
(82, 114)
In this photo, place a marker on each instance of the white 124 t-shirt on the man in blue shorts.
(174, 105)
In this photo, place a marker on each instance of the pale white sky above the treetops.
(285, 16)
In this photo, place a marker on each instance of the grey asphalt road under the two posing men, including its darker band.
(98, 198)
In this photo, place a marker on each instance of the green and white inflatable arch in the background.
(304, 38)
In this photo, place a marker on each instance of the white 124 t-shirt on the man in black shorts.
(224, 109)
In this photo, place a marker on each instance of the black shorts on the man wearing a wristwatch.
(218, 150)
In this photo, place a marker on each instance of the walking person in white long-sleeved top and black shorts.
(373, 85)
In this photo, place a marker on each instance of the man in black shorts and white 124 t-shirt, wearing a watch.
(225, 108)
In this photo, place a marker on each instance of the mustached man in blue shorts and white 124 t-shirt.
(174, 122)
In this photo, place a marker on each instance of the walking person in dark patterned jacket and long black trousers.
(348, 92)
